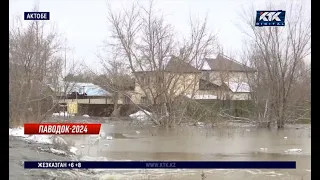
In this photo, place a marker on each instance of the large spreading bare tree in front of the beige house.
(146, 43)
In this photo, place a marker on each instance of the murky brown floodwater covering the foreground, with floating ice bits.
(130, 141)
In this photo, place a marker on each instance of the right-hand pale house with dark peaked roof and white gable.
(225, 78)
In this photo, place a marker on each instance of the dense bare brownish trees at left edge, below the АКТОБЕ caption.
(34, 62)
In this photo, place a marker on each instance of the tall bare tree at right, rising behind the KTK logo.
(277, 53)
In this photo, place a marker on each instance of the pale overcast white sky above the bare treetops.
(83, 23)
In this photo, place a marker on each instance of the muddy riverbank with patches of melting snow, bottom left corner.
(42, 148)
